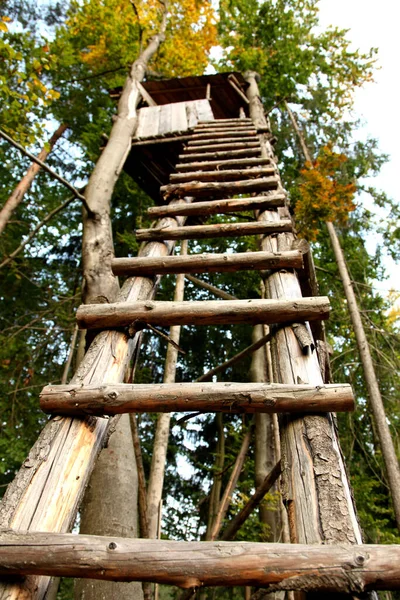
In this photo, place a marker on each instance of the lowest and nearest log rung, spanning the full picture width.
(339, 569)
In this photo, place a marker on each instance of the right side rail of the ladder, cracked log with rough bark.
(315, 486)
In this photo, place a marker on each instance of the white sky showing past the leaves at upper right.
(376, 24)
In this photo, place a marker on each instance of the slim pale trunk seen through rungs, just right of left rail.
(156, 479)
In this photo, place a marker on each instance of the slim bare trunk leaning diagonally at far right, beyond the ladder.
(378, 410)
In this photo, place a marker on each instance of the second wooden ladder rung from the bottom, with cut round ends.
(114, 399)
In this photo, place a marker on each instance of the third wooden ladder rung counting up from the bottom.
(207, 312)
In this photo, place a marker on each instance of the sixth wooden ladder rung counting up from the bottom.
(221, 207)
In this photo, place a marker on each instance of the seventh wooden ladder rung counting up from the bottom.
(221, 188)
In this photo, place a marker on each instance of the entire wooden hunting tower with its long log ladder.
(202, 147)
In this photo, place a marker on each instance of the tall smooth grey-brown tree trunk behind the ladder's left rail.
(111, 500)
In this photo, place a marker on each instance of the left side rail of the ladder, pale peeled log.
(47, 490)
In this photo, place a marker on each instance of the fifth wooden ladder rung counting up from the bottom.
(201, 232)
